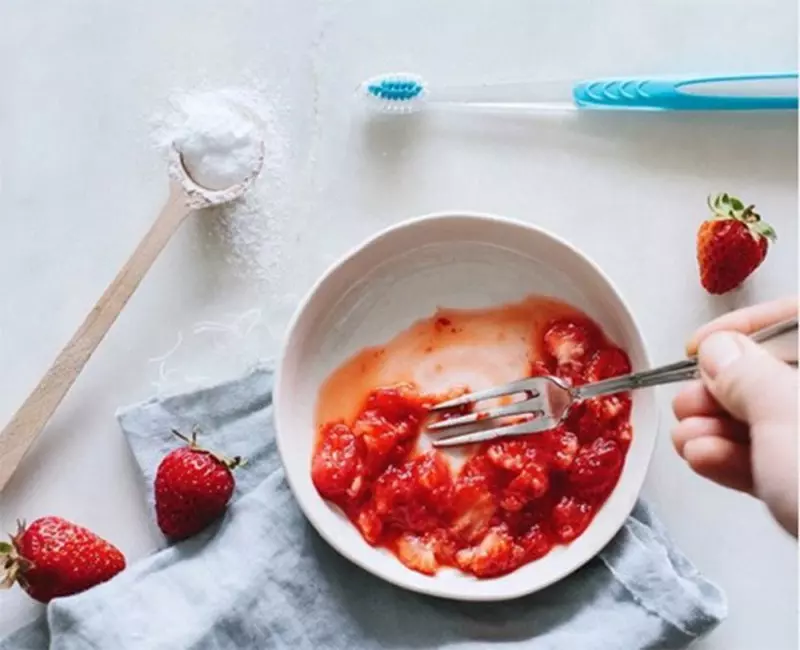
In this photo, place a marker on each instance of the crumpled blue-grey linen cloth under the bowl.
(263, 578)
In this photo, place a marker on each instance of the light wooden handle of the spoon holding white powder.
(34, 413)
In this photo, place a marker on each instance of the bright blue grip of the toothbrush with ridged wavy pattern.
(737, 93)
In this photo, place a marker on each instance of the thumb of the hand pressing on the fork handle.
(747, 381)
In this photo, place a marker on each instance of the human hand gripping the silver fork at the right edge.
(737, 426)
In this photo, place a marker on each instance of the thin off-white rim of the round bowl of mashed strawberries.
(351, 555)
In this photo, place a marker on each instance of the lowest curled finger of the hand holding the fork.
(722, 461)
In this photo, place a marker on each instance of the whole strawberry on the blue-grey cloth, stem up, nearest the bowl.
(192, 489)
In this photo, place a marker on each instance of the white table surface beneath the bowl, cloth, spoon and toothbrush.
(80, 183)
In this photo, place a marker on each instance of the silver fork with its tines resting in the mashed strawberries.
(548, 399)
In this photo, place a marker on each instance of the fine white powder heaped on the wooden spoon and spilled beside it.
(219, 133)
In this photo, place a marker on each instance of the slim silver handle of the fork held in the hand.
(779, 339)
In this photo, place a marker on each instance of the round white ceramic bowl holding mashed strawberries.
(401, 275)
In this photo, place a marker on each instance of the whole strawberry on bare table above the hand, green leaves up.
(731, 244)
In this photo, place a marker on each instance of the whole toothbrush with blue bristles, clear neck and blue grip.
(409, 93)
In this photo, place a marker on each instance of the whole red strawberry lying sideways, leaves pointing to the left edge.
(53, 557)
